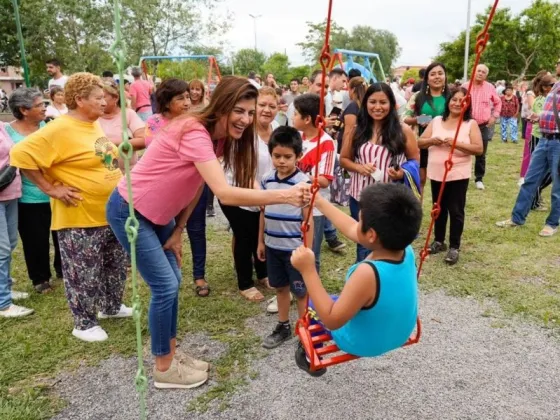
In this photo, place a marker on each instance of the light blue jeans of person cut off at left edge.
(8, 242)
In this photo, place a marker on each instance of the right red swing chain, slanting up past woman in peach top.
(481, 41)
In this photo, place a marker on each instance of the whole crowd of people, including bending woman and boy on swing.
(254, 147)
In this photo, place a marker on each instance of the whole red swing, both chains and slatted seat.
(312, 336)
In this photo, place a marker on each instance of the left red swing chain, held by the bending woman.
(324, 59)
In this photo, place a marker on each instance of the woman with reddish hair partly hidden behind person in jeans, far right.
(542, 85)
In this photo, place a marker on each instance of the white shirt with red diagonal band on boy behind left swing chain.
(327, 153)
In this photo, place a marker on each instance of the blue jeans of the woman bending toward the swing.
(158, 268)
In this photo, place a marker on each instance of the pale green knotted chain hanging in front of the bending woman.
(118, 51)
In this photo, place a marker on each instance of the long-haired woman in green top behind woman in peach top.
(425, 105)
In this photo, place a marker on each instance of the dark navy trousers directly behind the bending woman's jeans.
(196, 229)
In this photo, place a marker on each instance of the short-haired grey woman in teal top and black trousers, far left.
(34, 209)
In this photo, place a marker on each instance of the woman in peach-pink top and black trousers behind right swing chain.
(438, 137)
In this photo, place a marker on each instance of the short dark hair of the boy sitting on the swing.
(393, 212)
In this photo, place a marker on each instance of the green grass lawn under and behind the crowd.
(515, 267)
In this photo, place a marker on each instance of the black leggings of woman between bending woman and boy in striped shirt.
(245, 227)
